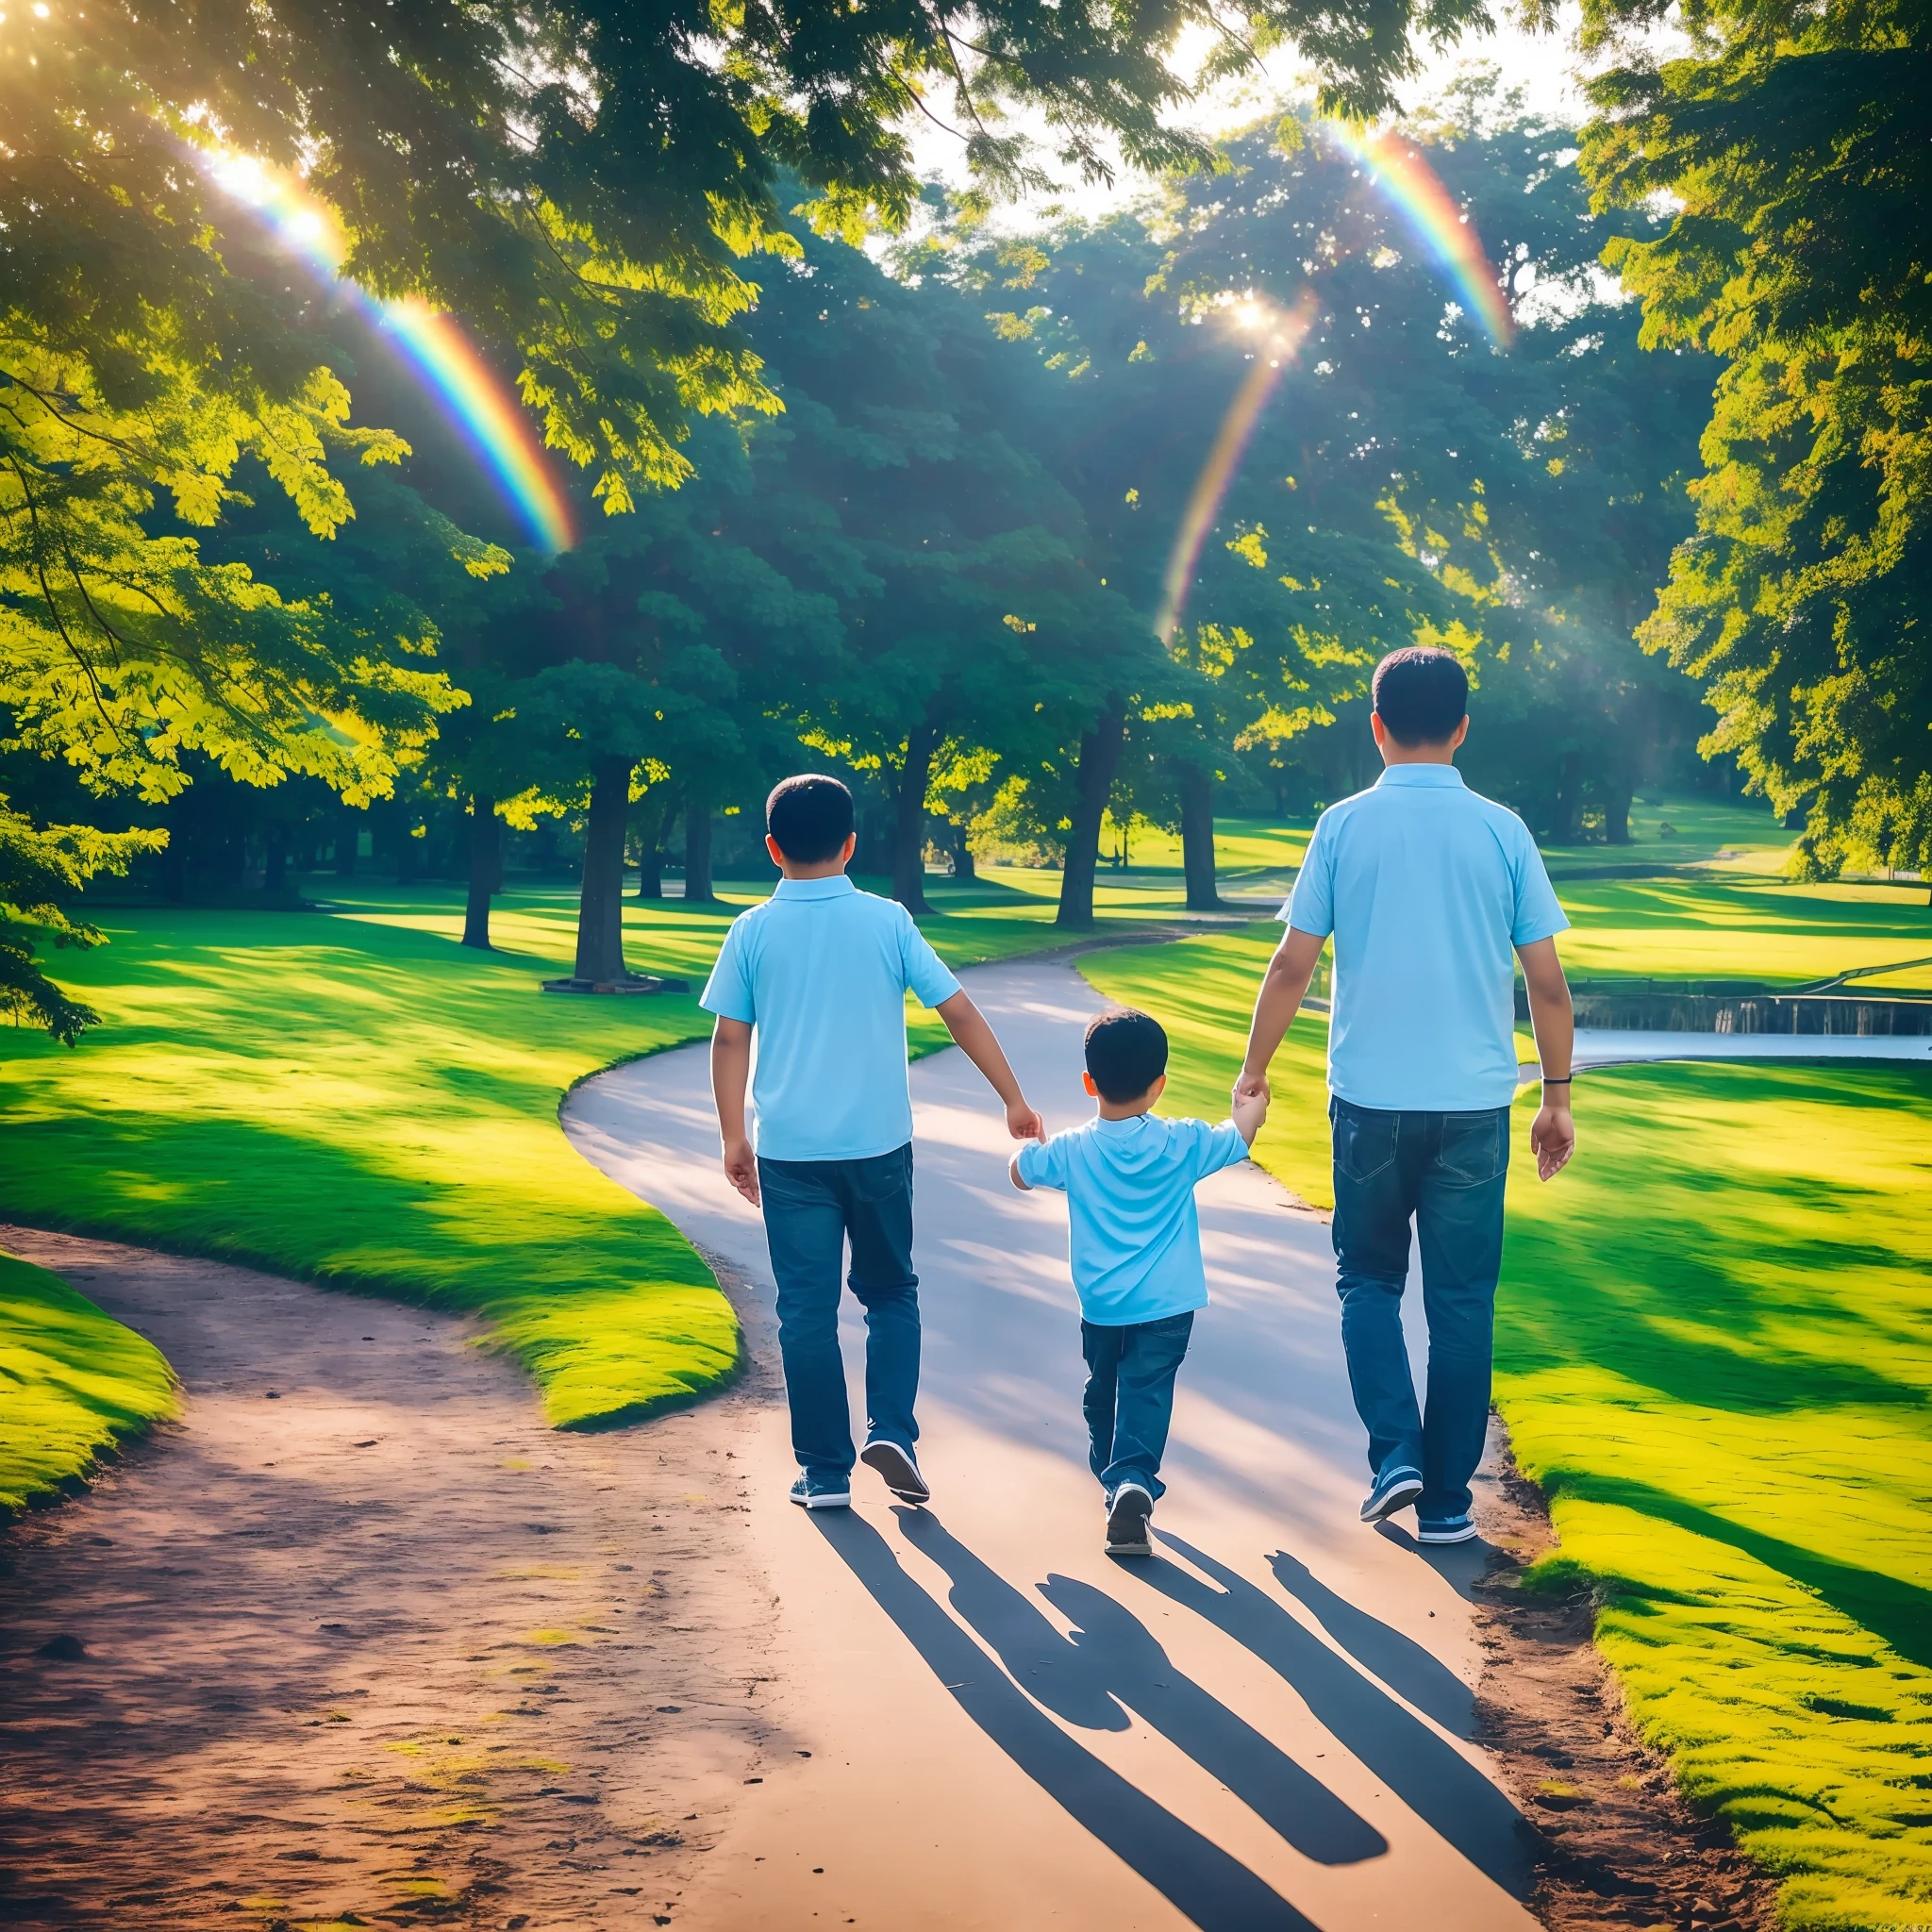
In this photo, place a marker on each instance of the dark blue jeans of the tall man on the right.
(1446, 1172)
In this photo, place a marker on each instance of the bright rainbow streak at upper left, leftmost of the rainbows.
(434, 345)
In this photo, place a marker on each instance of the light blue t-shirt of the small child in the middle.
(1133, 1236)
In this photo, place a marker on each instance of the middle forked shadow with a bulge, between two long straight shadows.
(1112, 1661)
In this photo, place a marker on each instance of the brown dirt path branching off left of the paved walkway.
(364, 1637)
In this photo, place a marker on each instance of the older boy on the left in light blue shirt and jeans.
(820, 975)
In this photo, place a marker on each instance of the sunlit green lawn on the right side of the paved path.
(1715, 1351)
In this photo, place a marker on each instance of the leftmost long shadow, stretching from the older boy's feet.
(1193, 1873)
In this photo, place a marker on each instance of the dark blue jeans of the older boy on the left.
(812, 1210)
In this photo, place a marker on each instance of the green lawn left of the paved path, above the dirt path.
(351, 1096)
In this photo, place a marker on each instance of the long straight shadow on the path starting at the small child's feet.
(1427, 1773)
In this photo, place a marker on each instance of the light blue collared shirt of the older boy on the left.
(822, 973)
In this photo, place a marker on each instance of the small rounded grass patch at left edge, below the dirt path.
(72, 1384)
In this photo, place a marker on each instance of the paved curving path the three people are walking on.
(1266, 1728)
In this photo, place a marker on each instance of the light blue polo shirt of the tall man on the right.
(1427, 888)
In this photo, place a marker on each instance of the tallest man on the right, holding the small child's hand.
(1427, 890)
